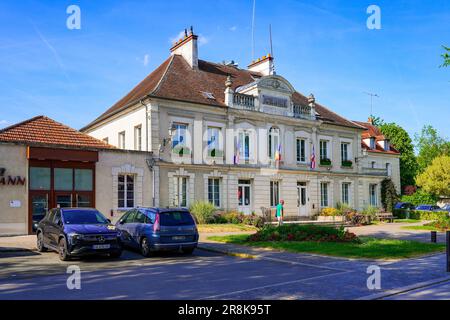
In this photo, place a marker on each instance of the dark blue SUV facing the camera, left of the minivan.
(77, 232)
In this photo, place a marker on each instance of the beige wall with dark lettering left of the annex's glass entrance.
(14, 220)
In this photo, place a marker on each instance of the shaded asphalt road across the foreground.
(205, 275)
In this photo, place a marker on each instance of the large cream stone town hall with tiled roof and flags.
(243, 139)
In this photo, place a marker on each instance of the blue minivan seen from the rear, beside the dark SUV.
(152, 229)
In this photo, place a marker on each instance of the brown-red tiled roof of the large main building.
(174, 79)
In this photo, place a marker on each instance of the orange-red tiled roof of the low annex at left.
(45, 131)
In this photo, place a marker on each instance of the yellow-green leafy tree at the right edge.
(436, 177)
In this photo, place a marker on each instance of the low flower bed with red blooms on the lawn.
(294, 232)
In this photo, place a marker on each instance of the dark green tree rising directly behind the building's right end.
(403, 143)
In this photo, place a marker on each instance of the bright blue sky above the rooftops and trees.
(321, 47)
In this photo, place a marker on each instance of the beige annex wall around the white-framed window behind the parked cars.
(112, 163)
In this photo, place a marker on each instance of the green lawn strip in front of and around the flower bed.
(370, 248)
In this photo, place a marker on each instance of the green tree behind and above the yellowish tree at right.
(429, 146)
